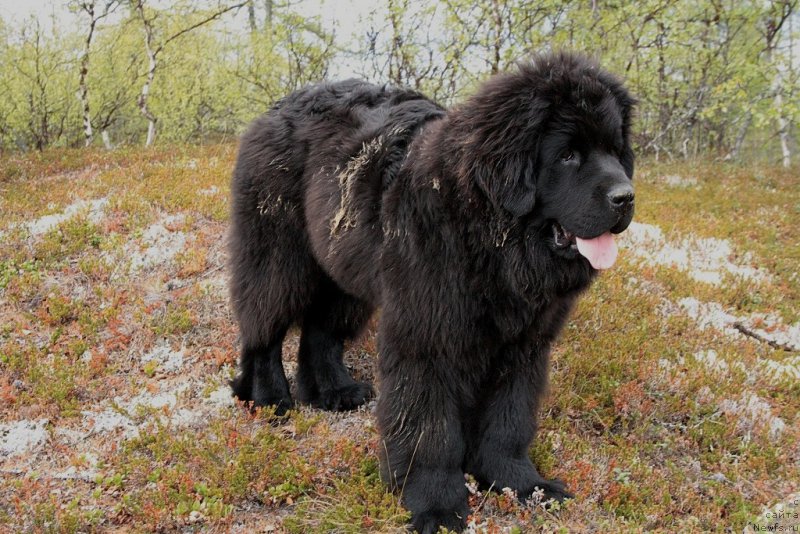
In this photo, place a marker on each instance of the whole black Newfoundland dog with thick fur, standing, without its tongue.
(349, 196)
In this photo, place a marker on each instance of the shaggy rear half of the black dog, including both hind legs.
(306, 232)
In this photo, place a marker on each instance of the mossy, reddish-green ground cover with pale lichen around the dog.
(649, 431)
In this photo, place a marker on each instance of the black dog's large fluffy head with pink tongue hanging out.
(550, 144)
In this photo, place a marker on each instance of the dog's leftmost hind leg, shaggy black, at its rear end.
(273, 279)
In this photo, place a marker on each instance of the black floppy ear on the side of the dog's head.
(510, 184)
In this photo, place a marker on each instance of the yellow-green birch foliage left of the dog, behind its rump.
(211, 80)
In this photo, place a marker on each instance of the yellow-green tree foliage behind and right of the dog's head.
(704, 72)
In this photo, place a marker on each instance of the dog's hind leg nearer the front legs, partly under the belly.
(322, 378)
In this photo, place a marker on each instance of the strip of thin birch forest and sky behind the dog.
(716, 77)
